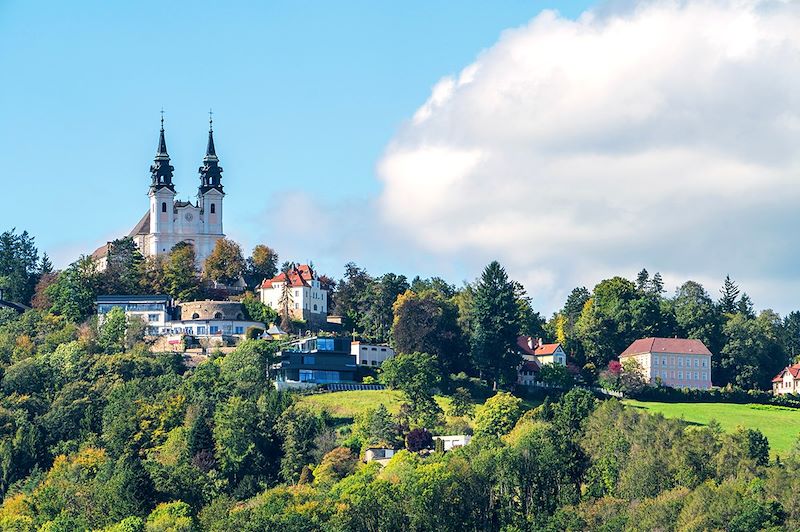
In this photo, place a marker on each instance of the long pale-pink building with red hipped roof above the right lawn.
(676, 362)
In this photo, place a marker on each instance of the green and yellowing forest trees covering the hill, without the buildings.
(99, 433)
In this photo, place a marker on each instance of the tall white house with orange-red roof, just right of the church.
(307, 299)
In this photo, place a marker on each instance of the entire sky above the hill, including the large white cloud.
(424, 137)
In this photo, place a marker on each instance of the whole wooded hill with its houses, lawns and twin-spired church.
(166, 381)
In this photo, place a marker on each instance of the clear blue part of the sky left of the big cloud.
(306, 96)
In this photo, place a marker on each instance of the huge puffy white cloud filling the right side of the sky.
(663, 134)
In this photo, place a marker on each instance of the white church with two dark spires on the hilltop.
(168, 222)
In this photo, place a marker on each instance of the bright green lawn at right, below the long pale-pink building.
(780, 425)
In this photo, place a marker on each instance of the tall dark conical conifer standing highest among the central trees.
(496, 327)
